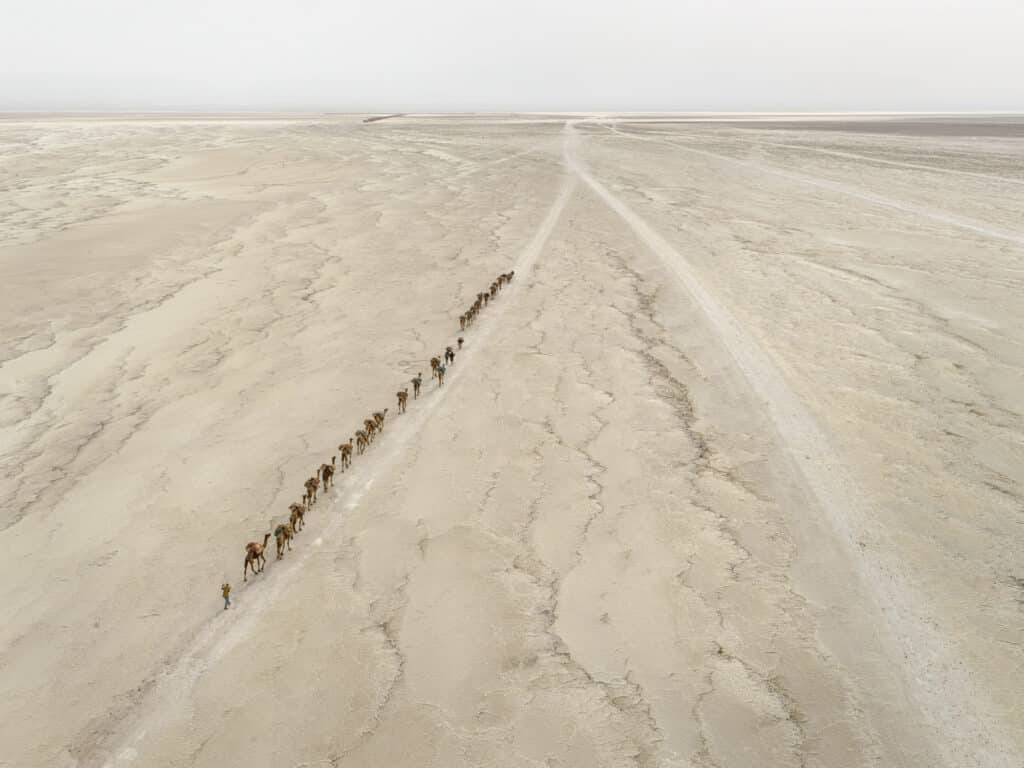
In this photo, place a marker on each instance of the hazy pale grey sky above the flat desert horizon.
(513, 55)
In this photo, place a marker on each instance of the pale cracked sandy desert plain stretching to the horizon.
(731, 477)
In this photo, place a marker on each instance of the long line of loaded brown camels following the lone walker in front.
(372, 429)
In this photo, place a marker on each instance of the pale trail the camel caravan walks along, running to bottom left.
(173, 688)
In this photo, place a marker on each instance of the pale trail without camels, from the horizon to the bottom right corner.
(960, 713)
